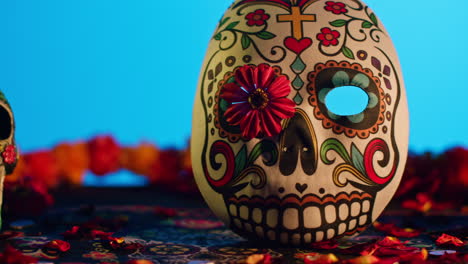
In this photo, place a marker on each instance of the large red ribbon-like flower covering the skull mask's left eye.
(258, 102)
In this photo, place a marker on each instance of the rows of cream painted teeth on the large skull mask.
(297, 225)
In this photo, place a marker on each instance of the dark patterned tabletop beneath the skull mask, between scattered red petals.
(192, 235)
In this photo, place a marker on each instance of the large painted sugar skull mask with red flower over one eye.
(269, 156)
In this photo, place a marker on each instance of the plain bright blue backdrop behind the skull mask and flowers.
(72, 69)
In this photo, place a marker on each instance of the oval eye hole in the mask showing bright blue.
(346, 100)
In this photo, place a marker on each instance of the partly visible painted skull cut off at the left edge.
(9, 153)
